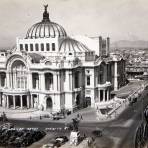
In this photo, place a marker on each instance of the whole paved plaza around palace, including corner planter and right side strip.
(115, 107)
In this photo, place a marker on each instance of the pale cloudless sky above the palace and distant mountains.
(118, 19)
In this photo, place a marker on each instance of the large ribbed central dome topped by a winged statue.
(46, 28)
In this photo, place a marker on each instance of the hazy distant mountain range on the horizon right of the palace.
(130, 44)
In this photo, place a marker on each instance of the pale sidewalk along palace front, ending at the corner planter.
(88, 115)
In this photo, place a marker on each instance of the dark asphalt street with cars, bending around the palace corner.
(118, 133)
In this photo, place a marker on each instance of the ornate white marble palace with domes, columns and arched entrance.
(49, 70)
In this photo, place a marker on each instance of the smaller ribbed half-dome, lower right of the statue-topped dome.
(71, 45)
